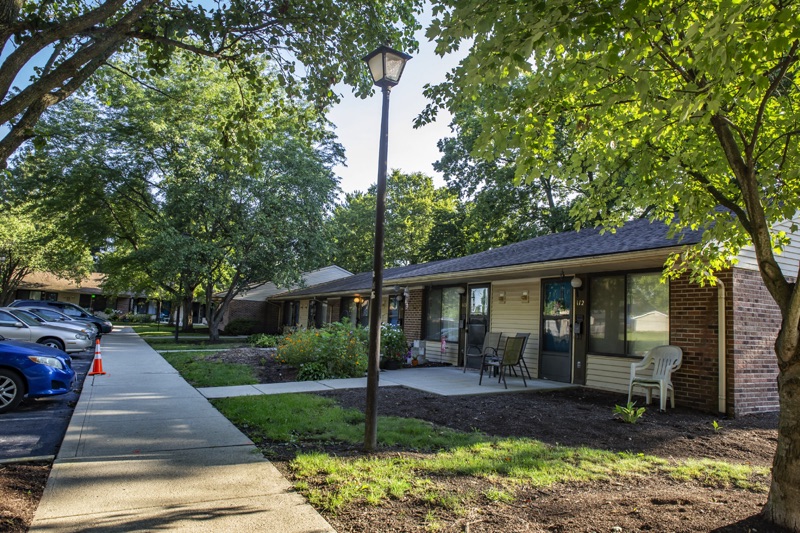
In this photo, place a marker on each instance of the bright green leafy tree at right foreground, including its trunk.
(675, 109)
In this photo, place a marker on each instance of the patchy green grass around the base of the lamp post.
(332, 482)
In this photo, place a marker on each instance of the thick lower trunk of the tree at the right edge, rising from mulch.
(783, 503)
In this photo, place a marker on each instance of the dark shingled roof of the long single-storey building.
(634, 236)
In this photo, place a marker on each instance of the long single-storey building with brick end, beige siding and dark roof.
(593, 303)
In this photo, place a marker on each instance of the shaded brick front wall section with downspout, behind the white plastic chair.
(694, 327)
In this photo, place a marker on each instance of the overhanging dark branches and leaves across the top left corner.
(54, 47)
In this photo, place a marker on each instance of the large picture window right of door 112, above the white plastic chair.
(629, 314)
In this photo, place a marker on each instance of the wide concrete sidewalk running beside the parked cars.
(145, 451)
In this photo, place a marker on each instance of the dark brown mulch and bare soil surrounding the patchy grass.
(575, 417)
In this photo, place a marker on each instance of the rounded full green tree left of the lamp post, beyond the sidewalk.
(164, 186)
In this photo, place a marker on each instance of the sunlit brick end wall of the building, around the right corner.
(755, 328)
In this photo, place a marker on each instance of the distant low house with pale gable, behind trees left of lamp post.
(271, 316)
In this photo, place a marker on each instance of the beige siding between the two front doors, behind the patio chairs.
(515, 316)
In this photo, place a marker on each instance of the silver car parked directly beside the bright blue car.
(25, 328)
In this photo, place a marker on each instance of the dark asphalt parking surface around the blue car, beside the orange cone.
(36, 428)
